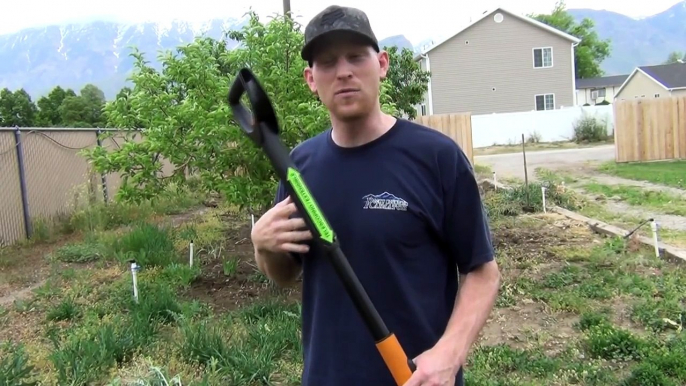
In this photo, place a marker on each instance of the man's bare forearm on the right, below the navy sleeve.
(475, 300)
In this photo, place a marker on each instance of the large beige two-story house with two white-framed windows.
(502, 62)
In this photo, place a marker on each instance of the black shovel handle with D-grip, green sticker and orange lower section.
(261, 126)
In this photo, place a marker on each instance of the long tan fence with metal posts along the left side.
(43, 177)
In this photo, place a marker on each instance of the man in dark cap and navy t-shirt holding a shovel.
(405, 205)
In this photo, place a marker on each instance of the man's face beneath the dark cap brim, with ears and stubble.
(346, 75)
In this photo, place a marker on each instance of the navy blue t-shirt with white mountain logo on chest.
(408, 215)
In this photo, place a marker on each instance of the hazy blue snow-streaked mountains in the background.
(74, 55)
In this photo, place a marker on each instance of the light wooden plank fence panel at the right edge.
(650, 129)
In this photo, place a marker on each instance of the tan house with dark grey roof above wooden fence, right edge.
(664, 80)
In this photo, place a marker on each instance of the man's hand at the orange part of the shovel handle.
(437, 366)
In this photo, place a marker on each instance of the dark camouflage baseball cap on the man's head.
(337, 19)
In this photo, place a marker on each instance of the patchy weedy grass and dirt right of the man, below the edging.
(601, 312)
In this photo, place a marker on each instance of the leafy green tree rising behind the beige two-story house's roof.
(590, 52)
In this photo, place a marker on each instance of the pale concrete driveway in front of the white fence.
(511, 165)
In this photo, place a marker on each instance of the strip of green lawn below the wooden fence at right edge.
(669, 173)
